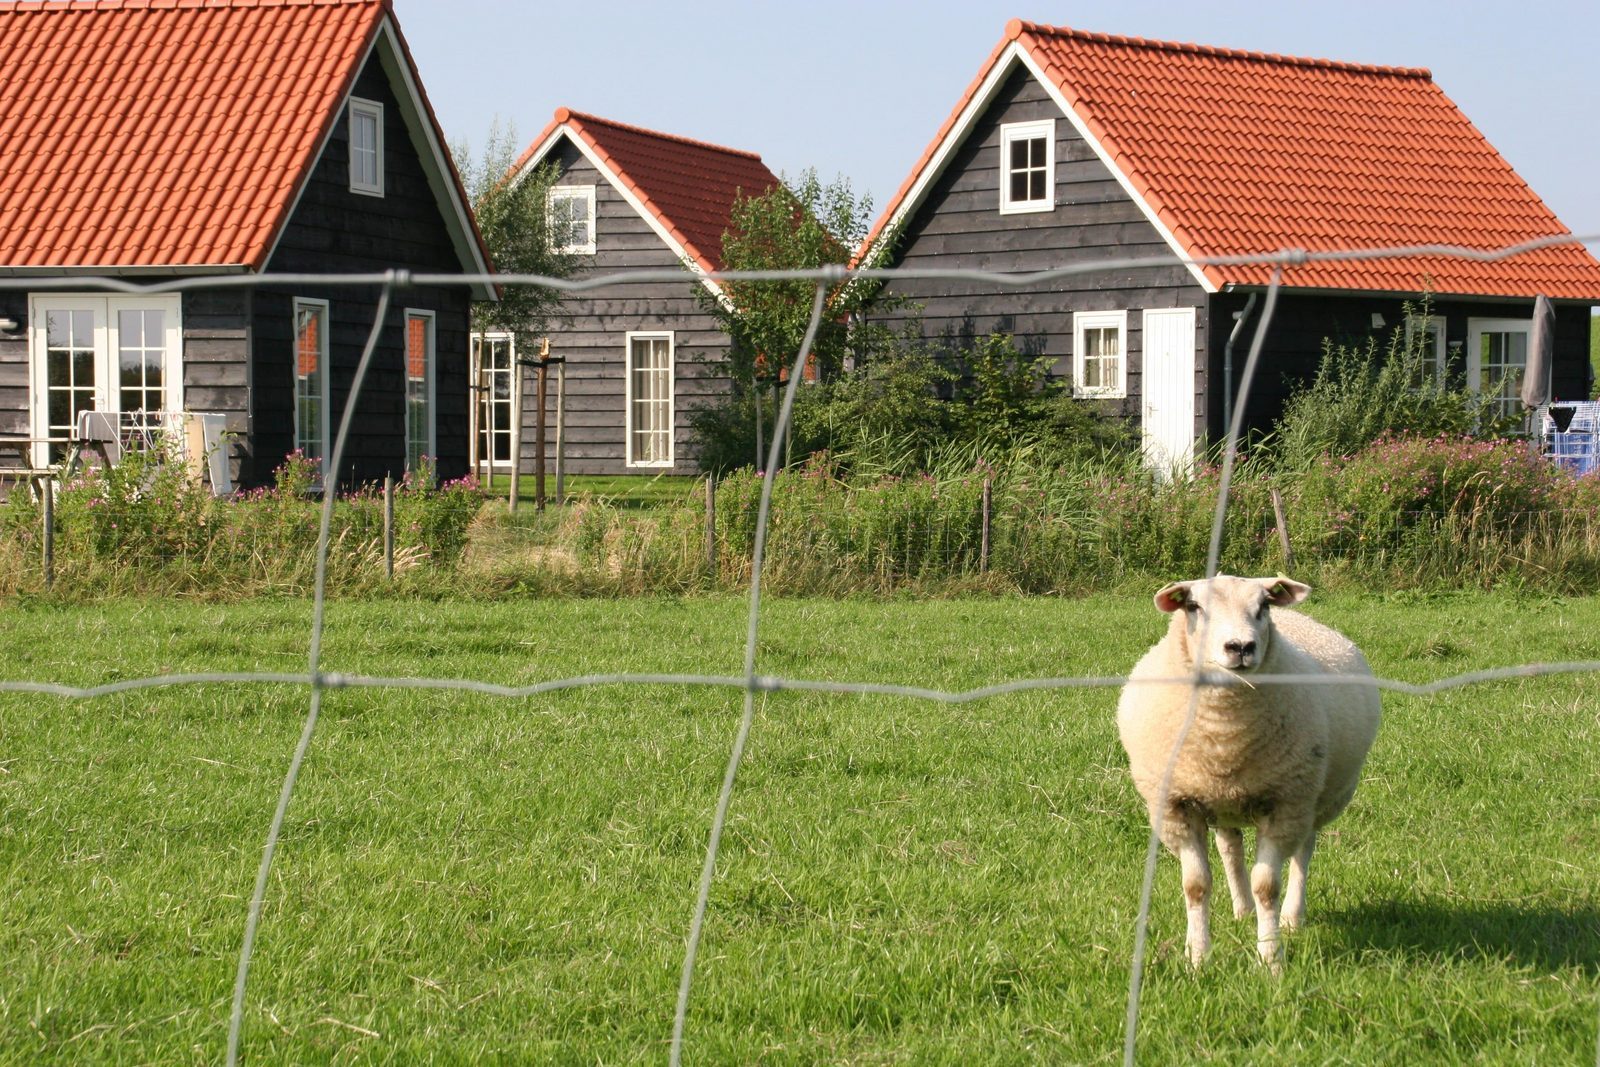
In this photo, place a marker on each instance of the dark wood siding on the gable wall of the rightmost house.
(959, 225)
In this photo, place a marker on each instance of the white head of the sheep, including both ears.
(1230, 620)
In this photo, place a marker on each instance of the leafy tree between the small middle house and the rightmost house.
(791, 228)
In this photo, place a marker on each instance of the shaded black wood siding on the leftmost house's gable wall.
(340, 231)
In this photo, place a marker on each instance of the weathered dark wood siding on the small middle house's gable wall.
(591, 337)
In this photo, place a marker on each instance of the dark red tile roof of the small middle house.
(689, 188)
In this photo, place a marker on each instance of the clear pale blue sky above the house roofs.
(858, 89)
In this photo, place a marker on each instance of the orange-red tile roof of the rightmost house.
(1239, 153)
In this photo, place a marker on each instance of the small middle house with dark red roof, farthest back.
(639, 358)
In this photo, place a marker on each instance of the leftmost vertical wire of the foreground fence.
(330, 479)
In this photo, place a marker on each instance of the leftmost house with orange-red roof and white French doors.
(217, 143)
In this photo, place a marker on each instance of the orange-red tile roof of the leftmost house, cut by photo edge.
(169, 134)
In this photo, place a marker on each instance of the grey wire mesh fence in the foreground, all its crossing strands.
(751, 684)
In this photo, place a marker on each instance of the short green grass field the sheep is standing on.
(470, 879)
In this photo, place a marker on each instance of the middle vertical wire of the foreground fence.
(726, 797)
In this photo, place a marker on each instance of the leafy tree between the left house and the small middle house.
(516, 223)
